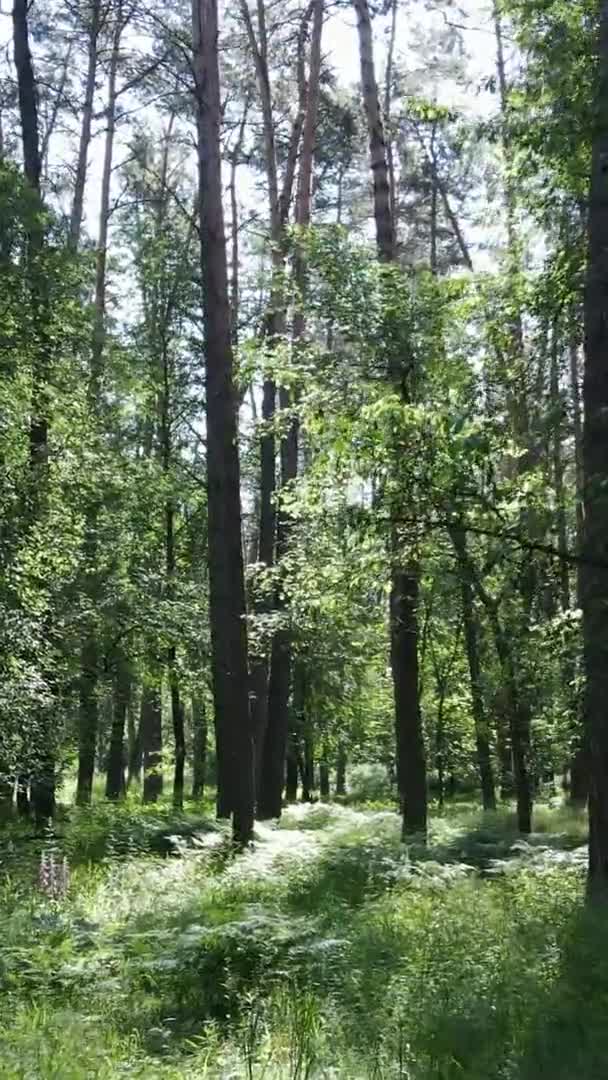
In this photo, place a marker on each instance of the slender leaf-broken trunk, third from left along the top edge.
(90, 652)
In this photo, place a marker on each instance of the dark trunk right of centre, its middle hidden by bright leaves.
(412, 768)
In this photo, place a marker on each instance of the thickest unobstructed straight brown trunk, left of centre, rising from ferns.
(227, 586)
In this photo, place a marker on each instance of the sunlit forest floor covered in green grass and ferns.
(328, 951)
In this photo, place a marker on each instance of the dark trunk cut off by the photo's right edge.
(595, 570)
